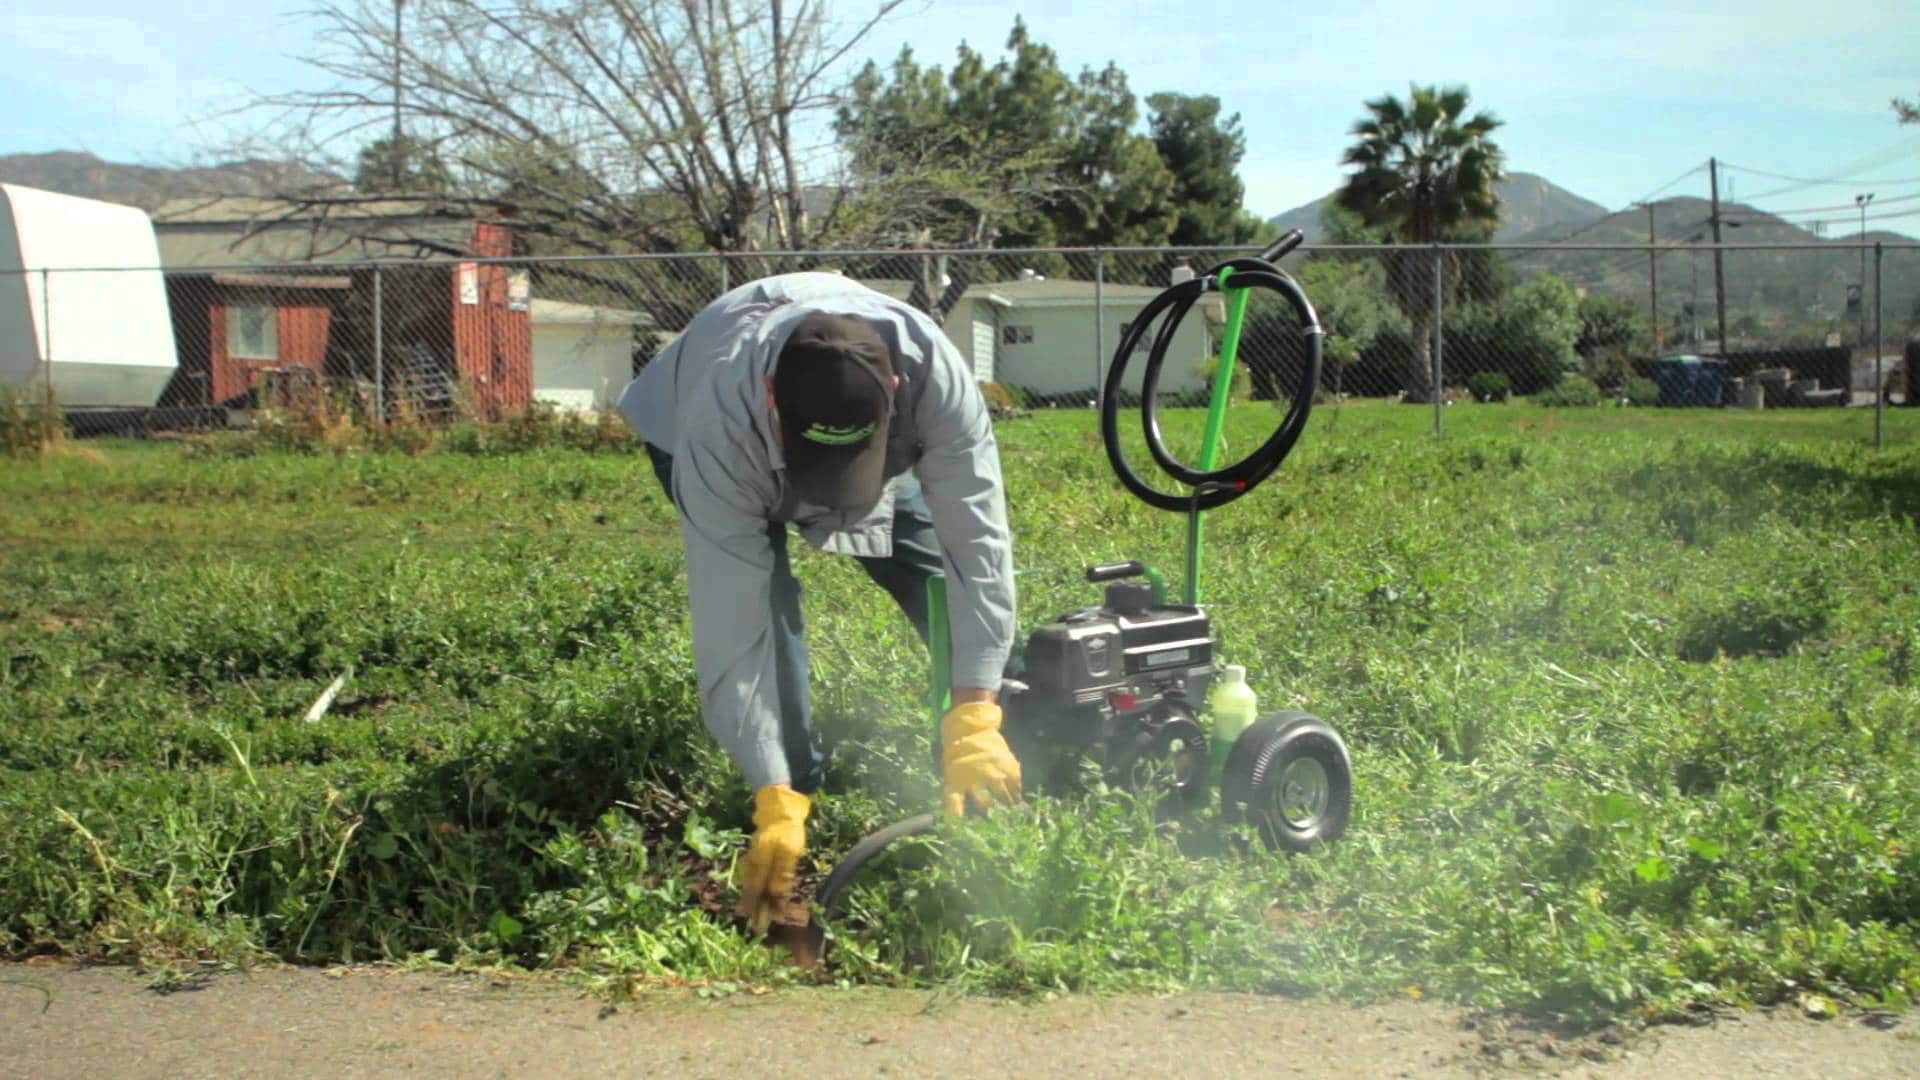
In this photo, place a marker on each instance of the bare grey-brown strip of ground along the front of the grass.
(62, 1021)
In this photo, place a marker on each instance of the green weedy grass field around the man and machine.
(1631, 697)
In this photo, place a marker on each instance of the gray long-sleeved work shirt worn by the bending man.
(704, 399)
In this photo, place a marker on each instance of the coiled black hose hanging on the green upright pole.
(1216, 487)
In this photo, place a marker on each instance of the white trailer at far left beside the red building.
(84, 307)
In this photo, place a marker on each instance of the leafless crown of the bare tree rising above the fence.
(602, 126)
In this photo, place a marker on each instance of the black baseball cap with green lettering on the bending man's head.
(834, 393)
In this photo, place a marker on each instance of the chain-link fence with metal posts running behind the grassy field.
(145, 351)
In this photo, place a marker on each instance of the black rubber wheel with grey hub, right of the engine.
(1291, 779)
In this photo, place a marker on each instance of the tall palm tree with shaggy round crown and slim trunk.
(1424, 176)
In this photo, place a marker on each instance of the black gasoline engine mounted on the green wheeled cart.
(1120, 685)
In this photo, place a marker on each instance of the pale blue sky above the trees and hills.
(1610, 101)
